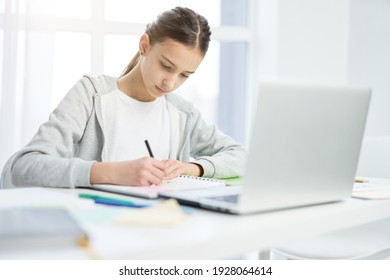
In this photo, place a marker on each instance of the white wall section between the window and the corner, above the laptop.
(303, 39)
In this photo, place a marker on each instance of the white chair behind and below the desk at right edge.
(369, 241)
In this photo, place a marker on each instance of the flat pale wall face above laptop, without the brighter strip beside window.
(313, 40)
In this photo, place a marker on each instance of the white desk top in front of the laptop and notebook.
(210, 235)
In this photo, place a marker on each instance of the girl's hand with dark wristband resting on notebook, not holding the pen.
(174, 168)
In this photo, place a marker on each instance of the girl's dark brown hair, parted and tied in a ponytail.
(180, 24)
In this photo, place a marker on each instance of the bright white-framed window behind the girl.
(58, 41)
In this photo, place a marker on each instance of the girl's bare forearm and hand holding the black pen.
(140, 172)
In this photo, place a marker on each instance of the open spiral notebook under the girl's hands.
(182, 182)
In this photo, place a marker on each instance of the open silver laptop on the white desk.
(304, 150)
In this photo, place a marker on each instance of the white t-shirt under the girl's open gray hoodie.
(127, 123)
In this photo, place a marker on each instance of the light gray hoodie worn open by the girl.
(63, 150)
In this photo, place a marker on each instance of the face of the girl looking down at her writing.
(166, 66)
